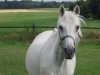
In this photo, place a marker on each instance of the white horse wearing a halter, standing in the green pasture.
(53, 52)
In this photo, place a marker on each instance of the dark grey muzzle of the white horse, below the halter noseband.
(69, 53)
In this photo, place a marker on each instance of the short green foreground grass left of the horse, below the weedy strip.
(12, 58)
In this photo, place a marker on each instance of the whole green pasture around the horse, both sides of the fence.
(12, 51)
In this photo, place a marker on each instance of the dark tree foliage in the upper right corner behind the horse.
(90, 8)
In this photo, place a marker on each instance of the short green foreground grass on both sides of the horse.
(12, 58)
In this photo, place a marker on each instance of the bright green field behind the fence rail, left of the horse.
(22, 19)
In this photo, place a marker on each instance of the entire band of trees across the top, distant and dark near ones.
(89, 8)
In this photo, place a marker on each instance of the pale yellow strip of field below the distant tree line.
(24, 10)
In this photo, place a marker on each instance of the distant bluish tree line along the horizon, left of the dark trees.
(28, 4)
